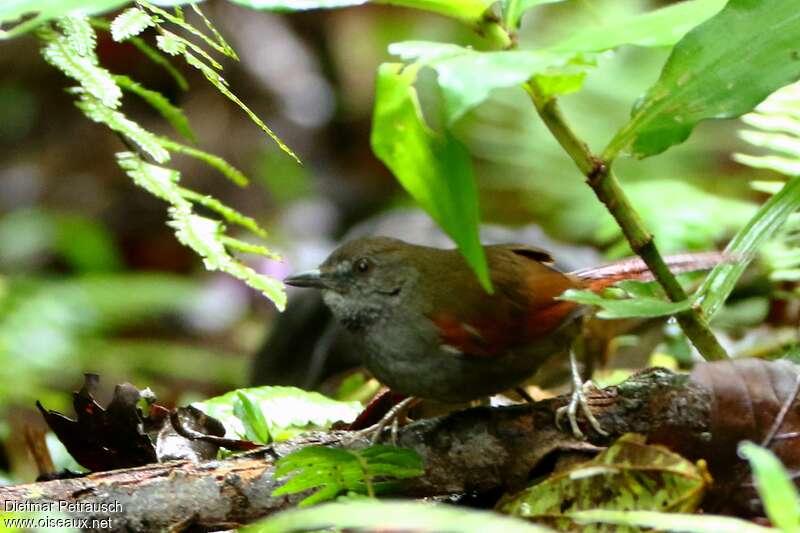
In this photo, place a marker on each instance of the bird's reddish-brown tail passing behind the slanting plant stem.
(598, 278)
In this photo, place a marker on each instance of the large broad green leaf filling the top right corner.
(710, 74)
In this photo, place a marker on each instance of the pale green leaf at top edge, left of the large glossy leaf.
(661, 27)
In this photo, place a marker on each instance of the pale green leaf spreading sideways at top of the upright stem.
(467, 77)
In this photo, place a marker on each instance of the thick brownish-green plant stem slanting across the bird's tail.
(606, 186)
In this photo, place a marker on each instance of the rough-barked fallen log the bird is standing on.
(477, 450)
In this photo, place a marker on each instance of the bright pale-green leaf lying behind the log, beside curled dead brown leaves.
(286, 411)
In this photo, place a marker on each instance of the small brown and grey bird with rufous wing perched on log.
(427, 328)
